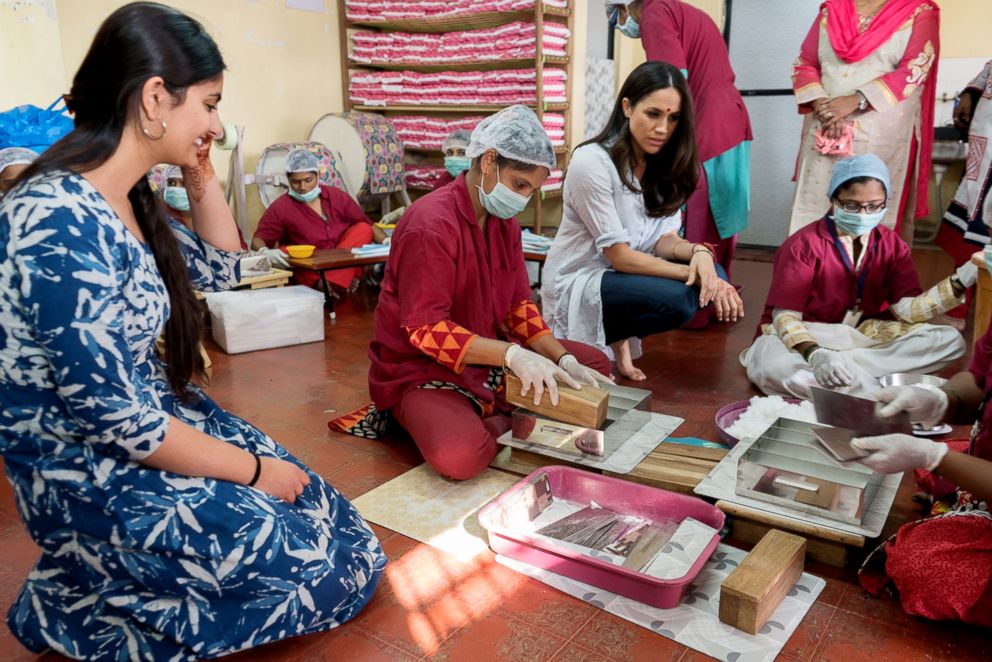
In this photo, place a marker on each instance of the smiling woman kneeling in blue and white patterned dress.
(169, 528)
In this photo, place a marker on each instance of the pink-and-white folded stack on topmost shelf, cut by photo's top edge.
(367, 11)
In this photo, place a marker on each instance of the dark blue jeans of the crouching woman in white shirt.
(639, 306)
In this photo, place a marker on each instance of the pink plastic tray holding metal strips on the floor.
(614, 494)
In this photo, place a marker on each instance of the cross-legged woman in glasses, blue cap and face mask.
(845, 305)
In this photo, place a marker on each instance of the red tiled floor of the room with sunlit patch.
(430, 605)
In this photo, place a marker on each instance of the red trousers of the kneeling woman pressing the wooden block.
(448, 430)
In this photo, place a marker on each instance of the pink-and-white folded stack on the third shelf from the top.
(455, 88)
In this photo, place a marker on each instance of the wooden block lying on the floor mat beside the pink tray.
(756, 588)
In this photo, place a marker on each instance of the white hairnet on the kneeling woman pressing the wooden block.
(515, 133)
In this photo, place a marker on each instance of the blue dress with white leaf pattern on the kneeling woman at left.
(139, 563)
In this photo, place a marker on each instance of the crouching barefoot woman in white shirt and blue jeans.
(618, 269)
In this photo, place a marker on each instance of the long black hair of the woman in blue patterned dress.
(135, 43)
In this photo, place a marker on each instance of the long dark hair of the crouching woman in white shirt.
(671, 175)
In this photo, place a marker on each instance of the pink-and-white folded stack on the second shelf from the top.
(516, 40)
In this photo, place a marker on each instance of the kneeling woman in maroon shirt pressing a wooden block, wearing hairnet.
(455, 310)
